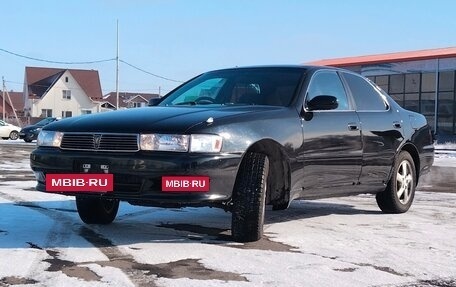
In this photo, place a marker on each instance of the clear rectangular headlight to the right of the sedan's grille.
(181, 143)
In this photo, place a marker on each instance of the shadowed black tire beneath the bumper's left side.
(97, 210)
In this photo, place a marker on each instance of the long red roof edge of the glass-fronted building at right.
(388, 58)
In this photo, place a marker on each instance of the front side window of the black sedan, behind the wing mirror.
(328, 83)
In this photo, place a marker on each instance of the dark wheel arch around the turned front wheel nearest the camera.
(279, 178)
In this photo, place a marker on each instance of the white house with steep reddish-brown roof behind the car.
(53, 92)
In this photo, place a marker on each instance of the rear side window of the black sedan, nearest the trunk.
(365, 96)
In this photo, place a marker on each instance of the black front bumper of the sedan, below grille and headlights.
(137, 176)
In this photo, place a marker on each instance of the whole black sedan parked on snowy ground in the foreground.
(240, 139)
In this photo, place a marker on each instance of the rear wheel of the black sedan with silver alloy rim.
(400, 191)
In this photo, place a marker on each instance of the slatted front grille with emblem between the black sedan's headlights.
(100, 142)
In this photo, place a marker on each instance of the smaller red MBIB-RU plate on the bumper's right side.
(185, 183)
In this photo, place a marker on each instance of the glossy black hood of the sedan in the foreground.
(151, 119)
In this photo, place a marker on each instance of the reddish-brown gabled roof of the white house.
(40, 80)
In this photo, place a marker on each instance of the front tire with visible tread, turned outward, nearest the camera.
(249, 197)
